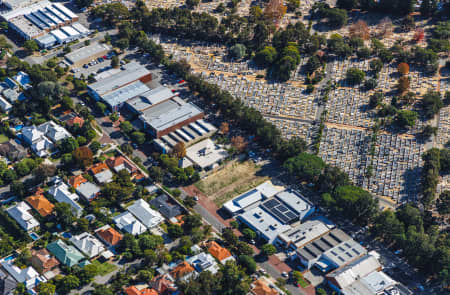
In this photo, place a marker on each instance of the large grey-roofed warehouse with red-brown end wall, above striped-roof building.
(169, 116)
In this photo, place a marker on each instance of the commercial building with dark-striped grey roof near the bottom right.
(330, 251)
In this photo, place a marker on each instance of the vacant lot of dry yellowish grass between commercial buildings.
(234, 179)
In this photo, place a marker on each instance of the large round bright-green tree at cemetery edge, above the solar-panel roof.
(305, 166)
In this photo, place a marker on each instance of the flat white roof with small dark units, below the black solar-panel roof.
(263, 223)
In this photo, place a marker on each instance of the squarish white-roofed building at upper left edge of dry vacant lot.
(206, 153)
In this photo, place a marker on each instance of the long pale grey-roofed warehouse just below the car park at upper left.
(131, 72)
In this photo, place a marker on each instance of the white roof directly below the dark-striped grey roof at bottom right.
(360, 268)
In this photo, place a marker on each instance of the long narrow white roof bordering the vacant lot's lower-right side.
(265, 190)
